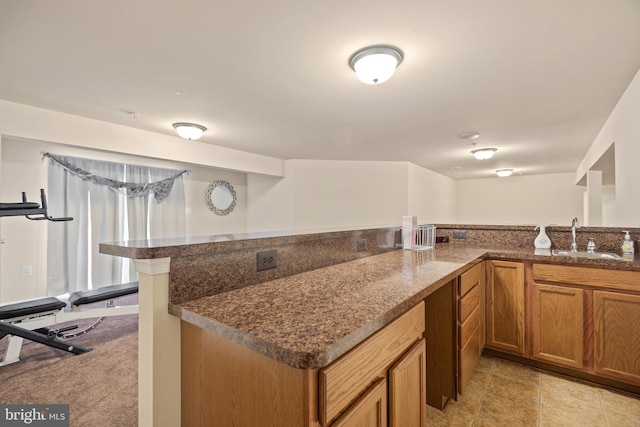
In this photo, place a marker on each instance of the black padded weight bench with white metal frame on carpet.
(30, 319)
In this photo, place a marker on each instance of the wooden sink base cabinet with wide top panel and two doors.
(586, 319)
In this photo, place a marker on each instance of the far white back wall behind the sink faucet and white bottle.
(538, 199)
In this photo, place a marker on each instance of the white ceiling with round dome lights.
(536, 78)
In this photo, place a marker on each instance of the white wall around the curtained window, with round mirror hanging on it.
(25, 242)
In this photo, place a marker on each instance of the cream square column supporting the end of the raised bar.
(158, 347)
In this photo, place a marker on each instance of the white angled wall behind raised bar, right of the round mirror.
(337, 194)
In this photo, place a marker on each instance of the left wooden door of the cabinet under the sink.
(558, 324)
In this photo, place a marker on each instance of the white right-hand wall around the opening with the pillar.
(622, 128)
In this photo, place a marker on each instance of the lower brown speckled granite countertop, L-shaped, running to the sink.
(310, 319)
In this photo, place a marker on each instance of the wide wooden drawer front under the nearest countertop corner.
(342, 381)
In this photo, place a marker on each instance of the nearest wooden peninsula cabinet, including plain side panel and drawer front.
(226, 383)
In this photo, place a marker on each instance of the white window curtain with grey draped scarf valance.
(108, 202)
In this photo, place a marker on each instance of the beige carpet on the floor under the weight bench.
(100, 387)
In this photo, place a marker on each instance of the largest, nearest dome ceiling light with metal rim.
(375, 64)
